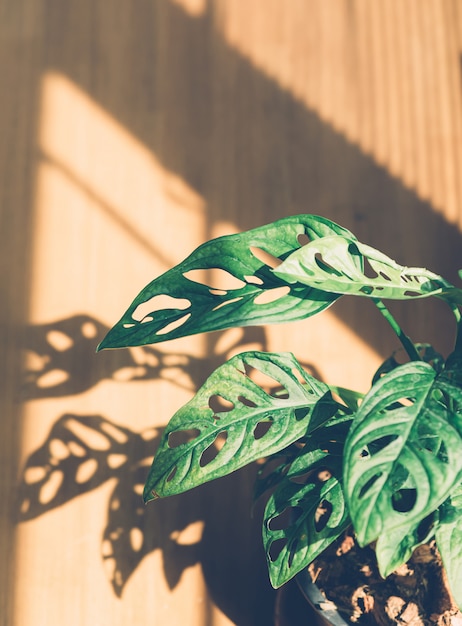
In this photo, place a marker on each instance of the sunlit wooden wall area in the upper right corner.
(385, 75)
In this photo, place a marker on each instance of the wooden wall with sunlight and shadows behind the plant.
(130, 132)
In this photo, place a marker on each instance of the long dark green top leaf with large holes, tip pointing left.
(183, 302)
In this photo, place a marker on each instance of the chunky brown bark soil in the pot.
(416, 594)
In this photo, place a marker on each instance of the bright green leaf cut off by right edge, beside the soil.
(448, 534)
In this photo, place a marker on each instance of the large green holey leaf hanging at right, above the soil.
(403, 454)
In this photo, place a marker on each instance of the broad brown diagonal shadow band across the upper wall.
(248, 146)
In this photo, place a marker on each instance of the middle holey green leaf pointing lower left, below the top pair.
(233, 420)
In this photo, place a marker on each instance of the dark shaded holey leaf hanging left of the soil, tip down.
(303, 516)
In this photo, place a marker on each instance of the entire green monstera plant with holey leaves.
(387, 463)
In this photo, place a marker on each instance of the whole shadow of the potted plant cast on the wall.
(81, 452)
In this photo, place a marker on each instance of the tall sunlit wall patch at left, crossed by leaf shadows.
(107, 219)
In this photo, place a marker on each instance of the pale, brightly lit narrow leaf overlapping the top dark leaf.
(339, 264)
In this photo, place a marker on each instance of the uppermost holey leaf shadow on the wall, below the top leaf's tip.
(60, 358)
